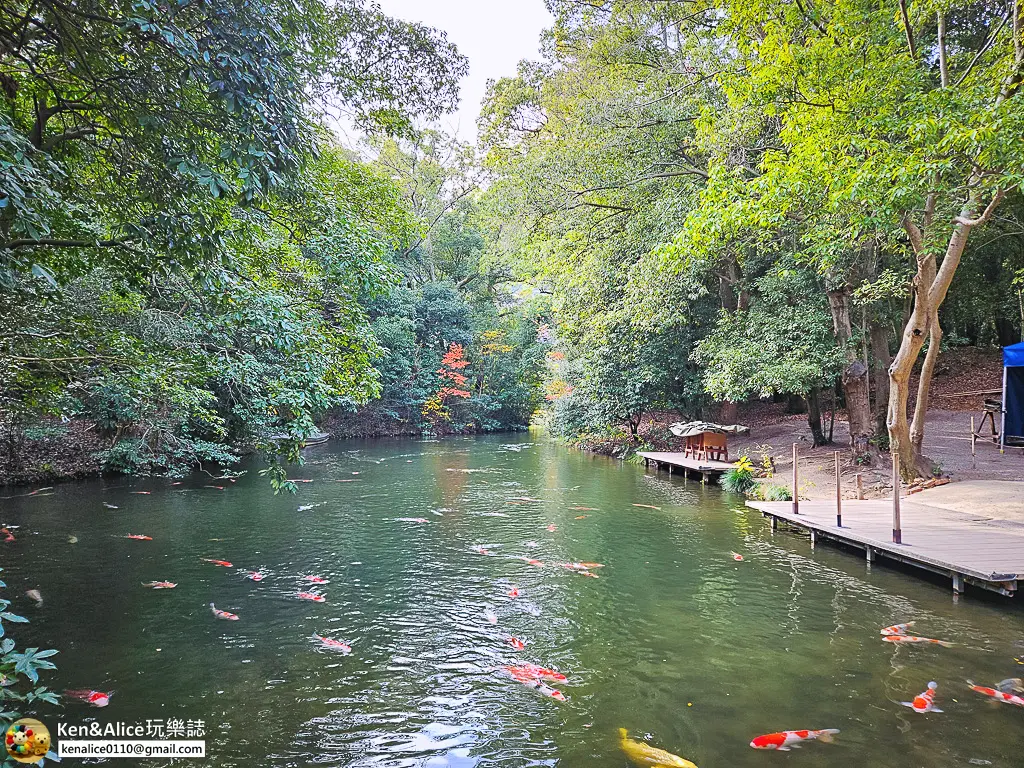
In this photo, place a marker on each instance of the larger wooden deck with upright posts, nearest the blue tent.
(969, 548)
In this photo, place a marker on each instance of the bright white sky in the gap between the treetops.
(494, 35)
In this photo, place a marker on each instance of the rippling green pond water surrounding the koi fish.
(676, 642)
